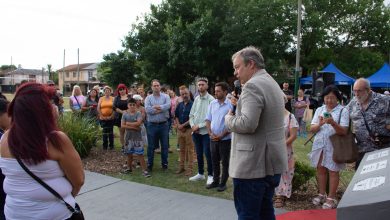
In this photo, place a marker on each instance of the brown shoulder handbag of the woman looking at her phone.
(345, 149)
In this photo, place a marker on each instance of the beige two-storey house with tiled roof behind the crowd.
(85, 75)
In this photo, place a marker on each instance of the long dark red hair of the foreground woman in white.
(32, 123)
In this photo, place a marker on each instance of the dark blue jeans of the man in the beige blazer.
(253, 197)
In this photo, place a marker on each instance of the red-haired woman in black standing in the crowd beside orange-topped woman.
(120, 107)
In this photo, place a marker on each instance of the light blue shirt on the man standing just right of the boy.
(163, 101)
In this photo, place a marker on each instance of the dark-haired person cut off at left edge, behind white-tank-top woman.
(5, 122)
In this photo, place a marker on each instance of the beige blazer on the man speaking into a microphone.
(258, 140)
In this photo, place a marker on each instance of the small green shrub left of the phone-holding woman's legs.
(302, 174)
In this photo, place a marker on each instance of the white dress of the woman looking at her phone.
(322, 141)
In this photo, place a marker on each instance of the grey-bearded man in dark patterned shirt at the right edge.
(370, 115)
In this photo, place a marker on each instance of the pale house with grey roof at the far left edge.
(9, 80)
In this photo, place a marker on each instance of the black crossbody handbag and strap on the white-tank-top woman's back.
(77, 214)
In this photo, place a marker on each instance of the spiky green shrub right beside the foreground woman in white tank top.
(82, 131)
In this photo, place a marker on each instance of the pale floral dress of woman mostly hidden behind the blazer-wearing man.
(285, 185)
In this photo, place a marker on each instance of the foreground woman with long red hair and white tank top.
(35, 140)
